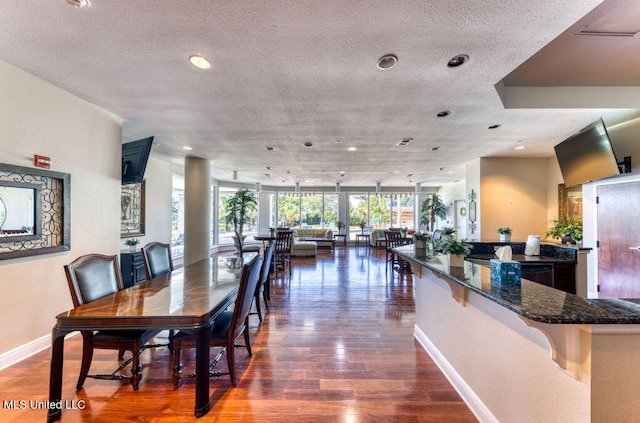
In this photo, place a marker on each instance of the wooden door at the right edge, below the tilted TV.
(619, 236)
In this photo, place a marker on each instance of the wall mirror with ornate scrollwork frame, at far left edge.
(34, 211)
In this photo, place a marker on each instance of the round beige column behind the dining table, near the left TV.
(197, 209)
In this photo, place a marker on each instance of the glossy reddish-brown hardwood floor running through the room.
(336, 345)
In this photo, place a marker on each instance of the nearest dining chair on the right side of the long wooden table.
(227, 328)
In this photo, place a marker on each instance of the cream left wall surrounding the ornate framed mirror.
(84, 141)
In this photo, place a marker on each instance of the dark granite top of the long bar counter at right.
(532, 300)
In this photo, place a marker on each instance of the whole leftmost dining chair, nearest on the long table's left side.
(90, 278)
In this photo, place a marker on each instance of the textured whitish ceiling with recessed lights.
(289, 72)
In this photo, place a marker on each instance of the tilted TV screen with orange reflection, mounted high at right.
(587, 155)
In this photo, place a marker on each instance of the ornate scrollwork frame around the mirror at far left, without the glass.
(52, 199)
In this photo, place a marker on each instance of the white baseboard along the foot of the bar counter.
(475, 404)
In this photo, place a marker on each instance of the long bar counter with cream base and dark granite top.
(528, 352)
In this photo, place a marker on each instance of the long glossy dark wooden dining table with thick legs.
(187, 299)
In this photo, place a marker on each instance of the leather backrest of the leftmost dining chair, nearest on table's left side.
(93, 276)
